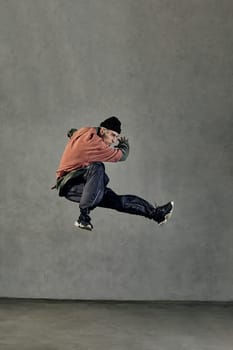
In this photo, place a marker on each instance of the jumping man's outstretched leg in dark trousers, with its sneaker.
(135, 205)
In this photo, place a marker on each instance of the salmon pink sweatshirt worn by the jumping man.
(84, 148)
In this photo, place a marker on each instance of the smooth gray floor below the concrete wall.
(52, 325)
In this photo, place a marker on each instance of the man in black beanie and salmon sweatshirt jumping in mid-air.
(81, 174)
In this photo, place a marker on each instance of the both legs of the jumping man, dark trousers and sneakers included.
(91, 191)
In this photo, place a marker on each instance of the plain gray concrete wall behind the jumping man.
(165, 68)
